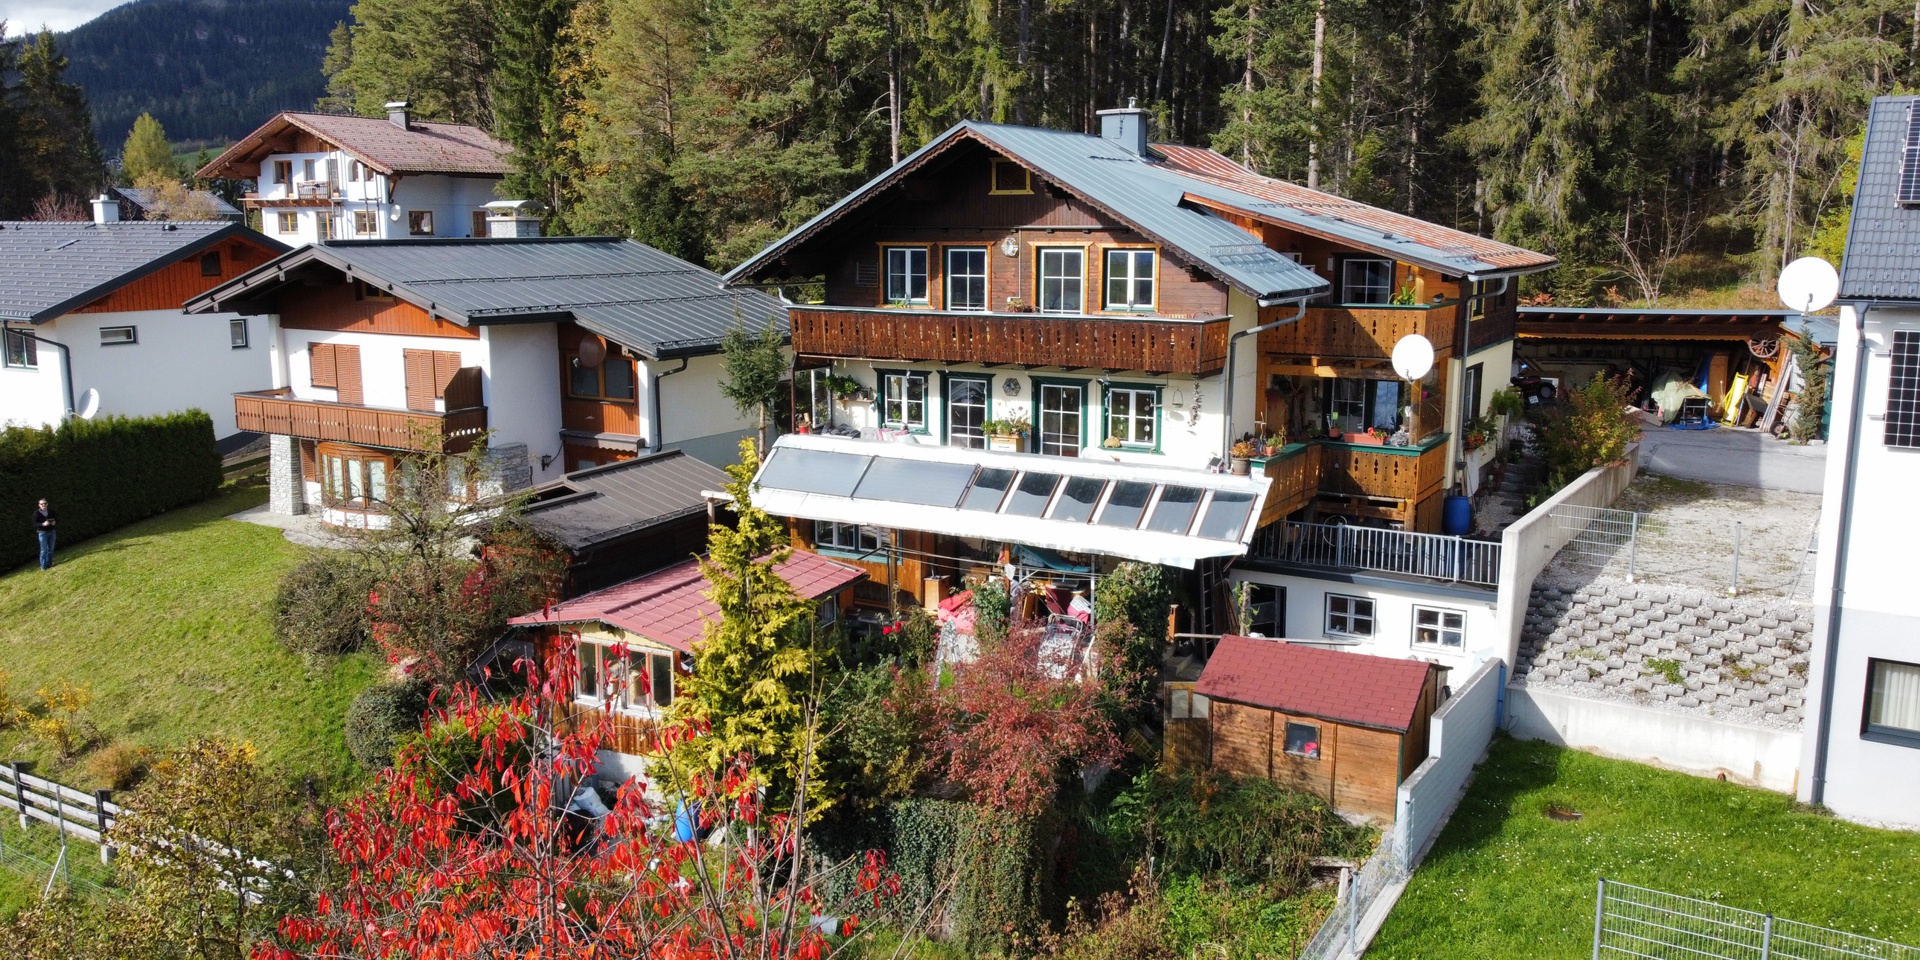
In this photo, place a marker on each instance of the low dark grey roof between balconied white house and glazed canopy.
(610, 502)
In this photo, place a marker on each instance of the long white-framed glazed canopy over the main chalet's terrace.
(1080, 506)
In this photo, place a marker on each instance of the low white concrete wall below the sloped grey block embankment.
(1696, 746)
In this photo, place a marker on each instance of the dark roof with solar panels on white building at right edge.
(1883, 258)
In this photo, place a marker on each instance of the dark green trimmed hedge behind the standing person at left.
(101, 475)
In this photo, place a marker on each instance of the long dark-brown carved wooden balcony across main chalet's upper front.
(1032, 339)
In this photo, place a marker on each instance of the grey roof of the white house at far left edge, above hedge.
(51, 268)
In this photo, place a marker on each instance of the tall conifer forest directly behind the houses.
(1650, 147)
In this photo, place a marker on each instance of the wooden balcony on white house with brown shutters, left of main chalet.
(274, 412)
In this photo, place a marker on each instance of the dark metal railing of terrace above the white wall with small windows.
(1389, 552)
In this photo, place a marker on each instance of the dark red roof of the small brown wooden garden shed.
(1353, 688)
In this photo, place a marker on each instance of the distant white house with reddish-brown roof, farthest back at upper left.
(333, 178)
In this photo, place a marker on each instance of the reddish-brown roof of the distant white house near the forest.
(377, 143)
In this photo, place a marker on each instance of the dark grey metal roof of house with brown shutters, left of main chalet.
(629, 293)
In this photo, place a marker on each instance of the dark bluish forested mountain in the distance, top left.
(208, 70)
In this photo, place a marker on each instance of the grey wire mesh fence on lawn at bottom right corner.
(1664, 926)
